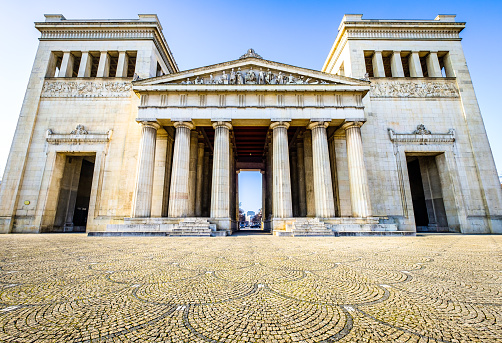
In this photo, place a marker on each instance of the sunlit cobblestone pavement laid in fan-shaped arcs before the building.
(74, 288)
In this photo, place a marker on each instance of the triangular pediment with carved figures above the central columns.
(251, 71)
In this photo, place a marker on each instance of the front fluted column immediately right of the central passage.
(282, 207)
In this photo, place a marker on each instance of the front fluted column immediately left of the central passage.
(220, 193)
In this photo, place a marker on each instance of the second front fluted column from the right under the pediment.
(323, 188)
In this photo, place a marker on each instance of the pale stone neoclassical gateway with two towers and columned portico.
(114, 139)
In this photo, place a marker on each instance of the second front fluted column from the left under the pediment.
(178, 197)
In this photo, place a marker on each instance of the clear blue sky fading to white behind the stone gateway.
(300, 33)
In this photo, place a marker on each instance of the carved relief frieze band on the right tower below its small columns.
(414, 88)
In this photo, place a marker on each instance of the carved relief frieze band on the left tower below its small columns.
(87, 88)
